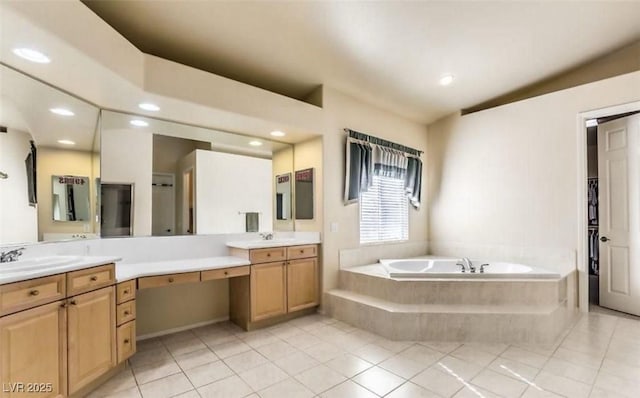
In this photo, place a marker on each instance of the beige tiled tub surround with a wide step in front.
(500, 311)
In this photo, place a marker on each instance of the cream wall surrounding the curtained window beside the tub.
(342, 111)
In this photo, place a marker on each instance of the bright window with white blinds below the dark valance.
(384, 211)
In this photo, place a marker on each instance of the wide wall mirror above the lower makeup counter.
(193, 180)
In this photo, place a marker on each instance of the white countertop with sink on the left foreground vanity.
(50, 265)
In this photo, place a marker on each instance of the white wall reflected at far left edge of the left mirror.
(18, 220)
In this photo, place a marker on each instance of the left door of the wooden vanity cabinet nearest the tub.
(268, 287)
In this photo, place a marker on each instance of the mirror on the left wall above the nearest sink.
(49, 162)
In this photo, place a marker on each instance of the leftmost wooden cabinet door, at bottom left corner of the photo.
(33, 352)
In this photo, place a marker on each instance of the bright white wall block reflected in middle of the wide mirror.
(228, 184)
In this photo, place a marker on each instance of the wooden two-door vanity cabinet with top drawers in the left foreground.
(57, 348)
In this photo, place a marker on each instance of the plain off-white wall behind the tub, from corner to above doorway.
(505, 180)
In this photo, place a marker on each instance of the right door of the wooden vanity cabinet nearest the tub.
(302, 284)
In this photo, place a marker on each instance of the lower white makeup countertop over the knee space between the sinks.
(135, 270)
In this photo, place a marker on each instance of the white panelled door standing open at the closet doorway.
(619, 202)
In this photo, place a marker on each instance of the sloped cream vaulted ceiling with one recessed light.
(388, 53)
